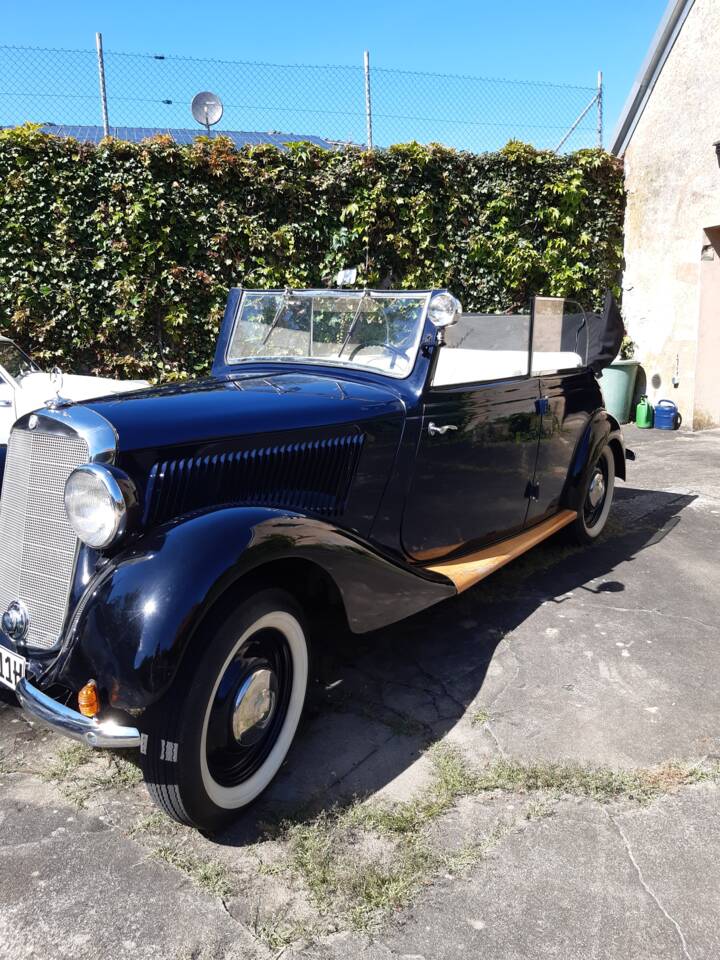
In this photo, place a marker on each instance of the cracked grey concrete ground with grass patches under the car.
(531, 770)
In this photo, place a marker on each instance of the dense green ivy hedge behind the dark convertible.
(116, 258)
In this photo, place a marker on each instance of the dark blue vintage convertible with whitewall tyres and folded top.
(166, 554)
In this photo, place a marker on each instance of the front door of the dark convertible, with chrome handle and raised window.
(476, 452)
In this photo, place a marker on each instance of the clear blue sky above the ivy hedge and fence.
(556, 41)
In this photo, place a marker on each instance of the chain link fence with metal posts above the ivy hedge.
(336, 103)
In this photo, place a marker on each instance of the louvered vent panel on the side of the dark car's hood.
(313, 476)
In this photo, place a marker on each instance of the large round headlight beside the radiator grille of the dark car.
(95, 505)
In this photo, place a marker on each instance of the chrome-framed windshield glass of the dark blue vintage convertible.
(375, 330)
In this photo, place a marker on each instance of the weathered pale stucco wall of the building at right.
(673, 186)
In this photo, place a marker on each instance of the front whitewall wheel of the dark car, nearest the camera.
(222, 733)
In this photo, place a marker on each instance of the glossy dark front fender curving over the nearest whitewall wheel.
(138, 615)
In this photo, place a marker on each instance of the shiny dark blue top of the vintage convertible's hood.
(238, 405)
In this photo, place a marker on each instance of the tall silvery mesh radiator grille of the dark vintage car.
(37, 544)
